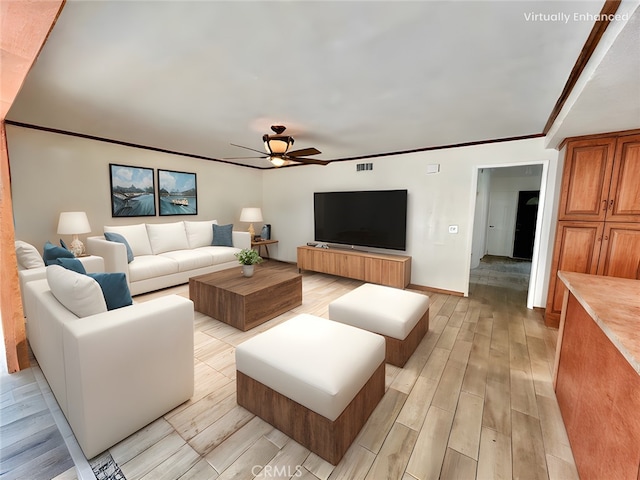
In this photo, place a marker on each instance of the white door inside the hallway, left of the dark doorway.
(501, 223)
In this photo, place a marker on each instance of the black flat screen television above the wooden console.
(374, 218)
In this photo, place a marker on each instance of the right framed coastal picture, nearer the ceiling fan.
(177, 193)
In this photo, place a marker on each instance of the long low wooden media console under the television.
(380, 268)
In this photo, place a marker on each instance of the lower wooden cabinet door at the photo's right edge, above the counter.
(620, 255)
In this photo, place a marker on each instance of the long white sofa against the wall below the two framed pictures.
(166, 254)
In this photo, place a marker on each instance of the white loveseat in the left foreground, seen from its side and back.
(112, 372)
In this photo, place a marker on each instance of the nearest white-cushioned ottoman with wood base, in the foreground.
(315, 380)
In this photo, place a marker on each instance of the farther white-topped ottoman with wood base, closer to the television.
(402, 317)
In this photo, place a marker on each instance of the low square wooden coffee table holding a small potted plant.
(246, 302)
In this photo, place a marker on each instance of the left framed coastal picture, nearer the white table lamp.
(132, 191)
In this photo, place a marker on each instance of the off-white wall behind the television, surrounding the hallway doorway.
(440, 260)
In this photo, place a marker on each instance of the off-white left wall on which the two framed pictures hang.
(52, 173)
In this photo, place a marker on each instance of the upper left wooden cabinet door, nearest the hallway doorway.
(586, 179)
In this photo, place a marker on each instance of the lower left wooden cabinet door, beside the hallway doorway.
(576, 249)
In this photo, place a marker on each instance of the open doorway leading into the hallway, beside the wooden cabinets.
(504, 231)
